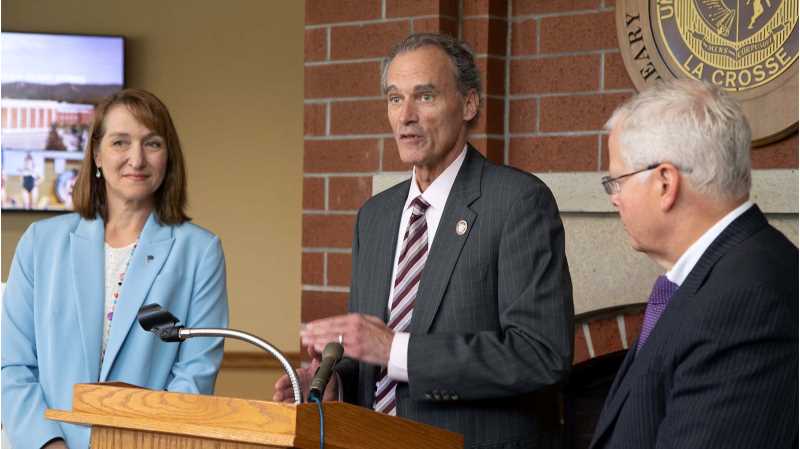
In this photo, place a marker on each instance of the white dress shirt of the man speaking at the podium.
(436, 195)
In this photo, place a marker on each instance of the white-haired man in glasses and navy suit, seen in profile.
(715, 365)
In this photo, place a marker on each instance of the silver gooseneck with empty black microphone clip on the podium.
(159, 321)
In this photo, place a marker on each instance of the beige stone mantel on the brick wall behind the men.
(605, 271)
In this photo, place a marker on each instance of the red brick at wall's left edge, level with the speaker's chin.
(325, 156)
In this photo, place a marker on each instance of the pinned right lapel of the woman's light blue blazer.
(149, 256)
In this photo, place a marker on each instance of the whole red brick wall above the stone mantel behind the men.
(552, 74)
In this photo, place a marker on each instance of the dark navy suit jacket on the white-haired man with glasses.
(719, 369)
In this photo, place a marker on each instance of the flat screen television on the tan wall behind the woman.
(50, 86)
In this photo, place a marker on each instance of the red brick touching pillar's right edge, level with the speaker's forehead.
(559, 74)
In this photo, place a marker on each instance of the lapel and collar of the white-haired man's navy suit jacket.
(740, 229)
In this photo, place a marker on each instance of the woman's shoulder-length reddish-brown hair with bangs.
(89, 194)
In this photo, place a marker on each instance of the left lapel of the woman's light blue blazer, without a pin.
(87, 259)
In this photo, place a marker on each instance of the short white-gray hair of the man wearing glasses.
(693, 125)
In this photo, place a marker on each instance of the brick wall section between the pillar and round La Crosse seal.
(566, 78)
